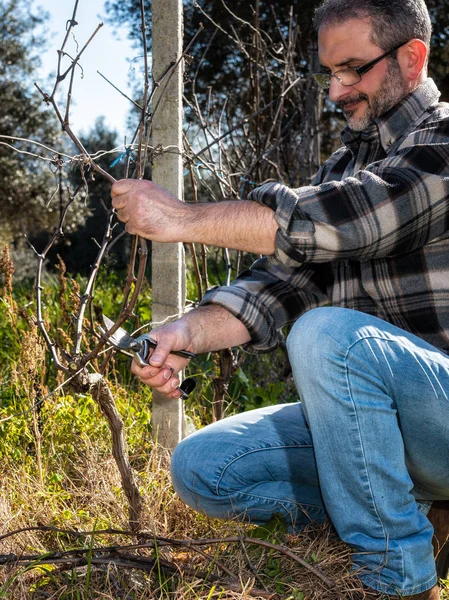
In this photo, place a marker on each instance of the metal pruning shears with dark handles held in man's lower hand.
(139, 348)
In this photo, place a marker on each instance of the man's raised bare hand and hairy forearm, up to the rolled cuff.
(151, 212)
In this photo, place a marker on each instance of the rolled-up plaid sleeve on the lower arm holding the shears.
(267, 296)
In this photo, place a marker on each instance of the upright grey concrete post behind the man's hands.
(168, 264)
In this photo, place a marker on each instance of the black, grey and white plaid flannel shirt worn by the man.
(371, 233)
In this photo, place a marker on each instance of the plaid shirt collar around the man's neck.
(394, 123)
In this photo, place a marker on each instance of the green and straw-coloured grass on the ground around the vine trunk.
(57, 470)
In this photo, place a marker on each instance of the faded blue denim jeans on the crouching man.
(368, 447)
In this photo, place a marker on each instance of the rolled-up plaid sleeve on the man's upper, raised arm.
(391, 207)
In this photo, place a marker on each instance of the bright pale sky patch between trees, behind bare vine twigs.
(109, 52)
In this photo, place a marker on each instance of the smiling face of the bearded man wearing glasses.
(349, 45)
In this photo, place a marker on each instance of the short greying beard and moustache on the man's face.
(392, 90)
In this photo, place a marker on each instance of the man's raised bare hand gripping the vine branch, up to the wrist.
(149, 210)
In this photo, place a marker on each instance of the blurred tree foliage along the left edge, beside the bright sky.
(26, 183)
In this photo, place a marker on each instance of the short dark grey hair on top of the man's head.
(393, 21)
